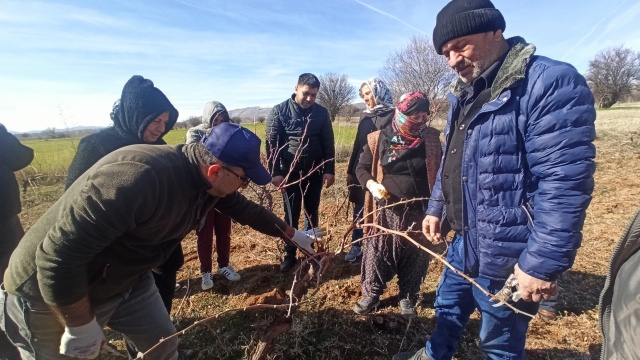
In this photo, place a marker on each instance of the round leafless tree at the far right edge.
(613, 74)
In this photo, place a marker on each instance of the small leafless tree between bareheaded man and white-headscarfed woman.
(335, 93)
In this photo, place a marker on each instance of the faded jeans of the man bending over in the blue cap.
(138, 313)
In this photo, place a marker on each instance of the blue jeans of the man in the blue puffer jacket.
(502, 331)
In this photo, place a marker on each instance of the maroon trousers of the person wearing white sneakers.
(221, 225)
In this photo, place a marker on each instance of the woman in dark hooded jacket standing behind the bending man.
(142, 115)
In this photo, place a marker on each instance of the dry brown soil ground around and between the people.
(325, 327)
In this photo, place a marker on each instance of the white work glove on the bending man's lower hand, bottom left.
(82, 341)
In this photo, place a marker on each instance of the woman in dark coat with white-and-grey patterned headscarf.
(377, 115)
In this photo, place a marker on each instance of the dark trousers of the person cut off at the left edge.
(10, 234)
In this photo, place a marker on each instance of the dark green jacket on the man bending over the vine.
(119, 220)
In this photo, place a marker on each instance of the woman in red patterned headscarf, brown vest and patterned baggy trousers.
(398, 164)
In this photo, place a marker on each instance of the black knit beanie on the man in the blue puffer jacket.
(465, 17)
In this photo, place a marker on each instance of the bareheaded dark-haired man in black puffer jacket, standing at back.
(301, 154)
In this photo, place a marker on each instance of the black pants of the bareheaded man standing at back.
(307, 191)
